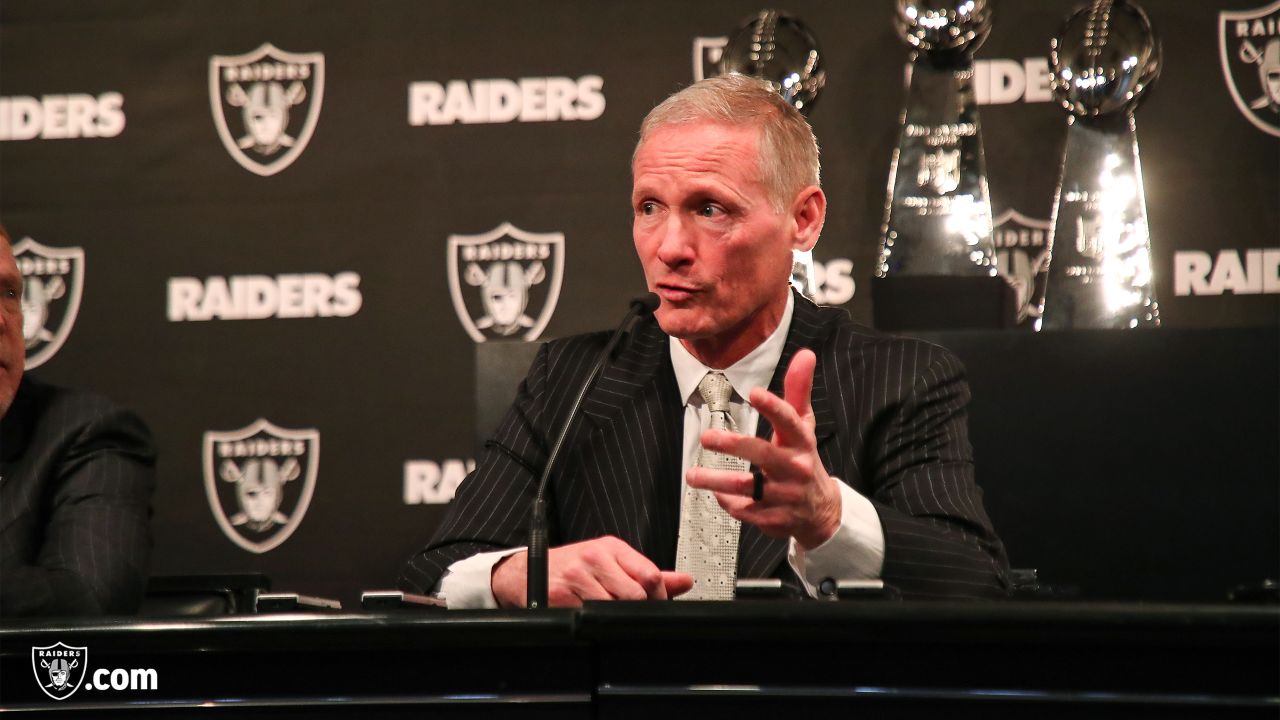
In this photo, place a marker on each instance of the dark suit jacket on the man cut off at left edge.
(76, 484)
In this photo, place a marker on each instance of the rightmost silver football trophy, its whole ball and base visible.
(1100, 271)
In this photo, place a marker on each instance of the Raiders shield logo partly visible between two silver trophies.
(1022, 257)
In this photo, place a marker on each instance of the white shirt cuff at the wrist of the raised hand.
(854, 553)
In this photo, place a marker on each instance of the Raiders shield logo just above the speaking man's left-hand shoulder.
(506, 282)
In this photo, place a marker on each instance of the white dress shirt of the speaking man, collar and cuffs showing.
(856, 552)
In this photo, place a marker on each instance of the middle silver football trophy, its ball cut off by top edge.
(938, 220)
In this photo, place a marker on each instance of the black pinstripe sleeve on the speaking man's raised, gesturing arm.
(938, 537)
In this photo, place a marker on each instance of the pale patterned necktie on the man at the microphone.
(707, 548)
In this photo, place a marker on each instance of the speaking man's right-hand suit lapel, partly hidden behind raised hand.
(760, 555)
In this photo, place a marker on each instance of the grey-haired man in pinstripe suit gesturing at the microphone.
(861, 439)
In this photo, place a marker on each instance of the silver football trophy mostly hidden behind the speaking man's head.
(779, 49)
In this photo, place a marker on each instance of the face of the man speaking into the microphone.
(714, 247)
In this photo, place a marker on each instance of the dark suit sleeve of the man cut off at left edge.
(94, 548)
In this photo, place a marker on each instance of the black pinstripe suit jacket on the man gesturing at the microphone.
(890, 422)
